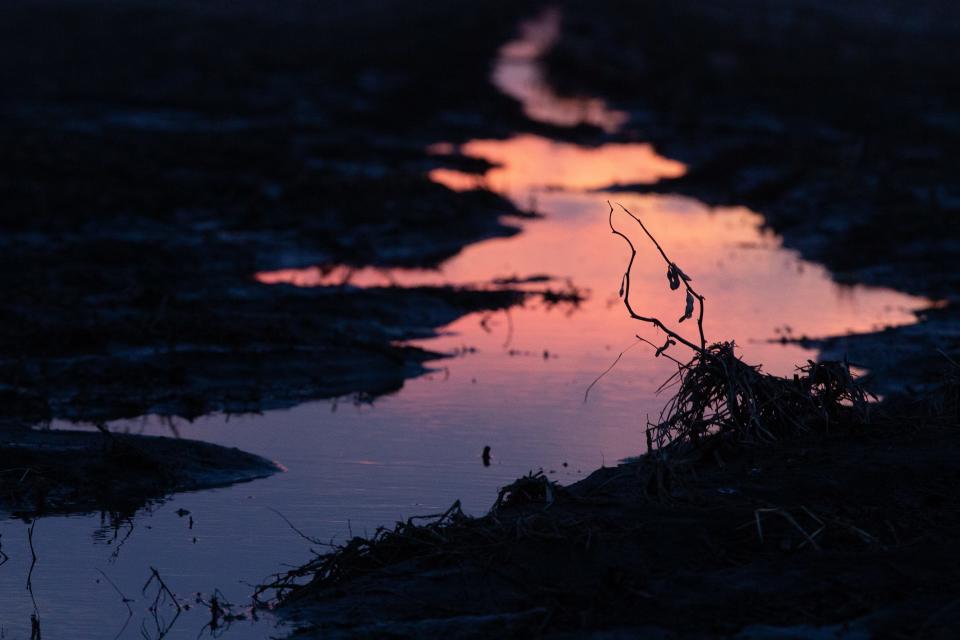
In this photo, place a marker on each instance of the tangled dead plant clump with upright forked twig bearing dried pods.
(721, 399)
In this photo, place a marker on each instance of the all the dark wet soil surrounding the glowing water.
(159, 154)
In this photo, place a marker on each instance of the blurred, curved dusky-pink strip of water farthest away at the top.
(519, 74)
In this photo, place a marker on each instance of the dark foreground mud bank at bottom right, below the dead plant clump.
(848, 536)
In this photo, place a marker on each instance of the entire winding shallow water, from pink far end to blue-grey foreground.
(516, 383)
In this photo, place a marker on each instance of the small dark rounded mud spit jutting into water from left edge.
(46, 472)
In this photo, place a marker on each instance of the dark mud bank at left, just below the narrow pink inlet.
(242, 348)
